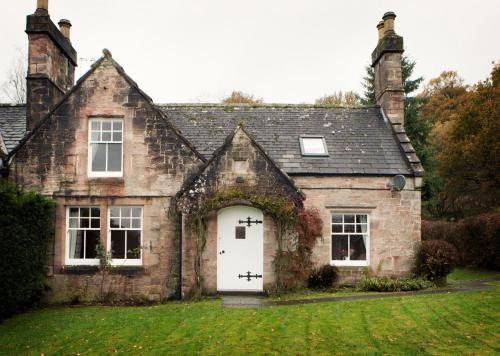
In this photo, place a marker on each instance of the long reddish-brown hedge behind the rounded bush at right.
(476, 238)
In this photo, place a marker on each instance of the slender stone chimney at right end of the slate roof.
(386, 62)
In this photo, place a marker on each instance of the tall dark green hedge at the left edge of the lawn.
(26, 228)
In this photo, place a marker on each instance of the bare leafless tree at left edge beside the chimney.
(14, 87)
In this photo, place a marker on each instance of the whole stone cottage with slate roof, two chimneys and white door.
(127, 174)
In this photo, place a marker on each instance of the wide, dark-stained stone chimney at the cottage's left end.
(51, 63)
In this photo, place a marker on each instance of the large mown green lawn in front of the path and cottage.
(457, 323)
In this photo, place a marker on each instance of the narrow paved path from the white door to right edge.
(242, 301)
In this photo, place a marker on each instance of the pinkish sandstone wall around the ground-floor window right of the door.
(394, 219)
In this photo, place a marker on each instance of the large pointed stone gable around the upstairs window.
(54, 156)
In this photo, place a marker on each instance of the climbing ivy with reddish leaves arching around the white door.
(296, 231)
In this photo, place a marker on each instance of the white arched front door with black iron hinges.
(240, 249)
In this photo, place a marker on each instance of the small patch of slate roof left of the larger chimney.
(12, 124)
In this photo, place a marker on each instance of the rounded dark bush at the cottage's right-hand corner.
(435, 259)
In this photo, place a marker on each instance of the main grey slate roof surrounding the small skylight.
(359, 140)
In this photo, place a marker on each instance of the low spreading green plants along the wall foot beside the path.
(385, 284)
